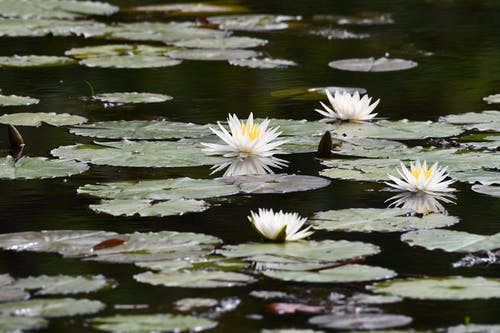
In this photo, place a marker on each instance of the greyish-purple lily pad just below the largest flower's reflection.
(276, 183)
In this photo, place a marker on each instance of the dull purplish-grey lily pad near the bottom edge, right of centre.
(361, 321)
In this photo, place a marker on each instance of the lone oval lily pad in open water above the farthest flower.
(373, 65)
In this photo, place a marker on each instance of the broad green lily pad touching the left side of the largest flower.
(138, 154)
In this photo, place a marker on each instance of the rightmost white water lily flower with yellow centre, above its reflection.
(422, 179)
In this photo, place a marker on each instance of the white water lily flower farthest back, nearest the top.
(348, 107)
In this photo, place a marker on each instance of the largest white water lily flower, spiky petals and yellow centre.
(245, 139)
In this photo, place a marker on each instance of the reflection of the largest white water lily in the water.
(251, 165)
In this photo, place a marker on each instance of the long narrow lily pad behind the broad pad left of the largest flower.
(141, 130)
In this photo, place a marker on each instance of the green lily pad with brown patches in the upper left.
(111, 50)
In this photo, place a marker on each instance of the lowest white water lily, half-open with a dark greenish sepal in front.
(279, 226)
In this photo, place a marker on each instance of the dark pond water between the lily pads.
(456, 44)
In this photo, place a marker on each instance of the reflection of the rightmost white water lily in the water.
(421, 202)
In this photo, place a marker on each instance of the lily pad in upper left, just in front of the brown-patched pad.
(127, 61)
